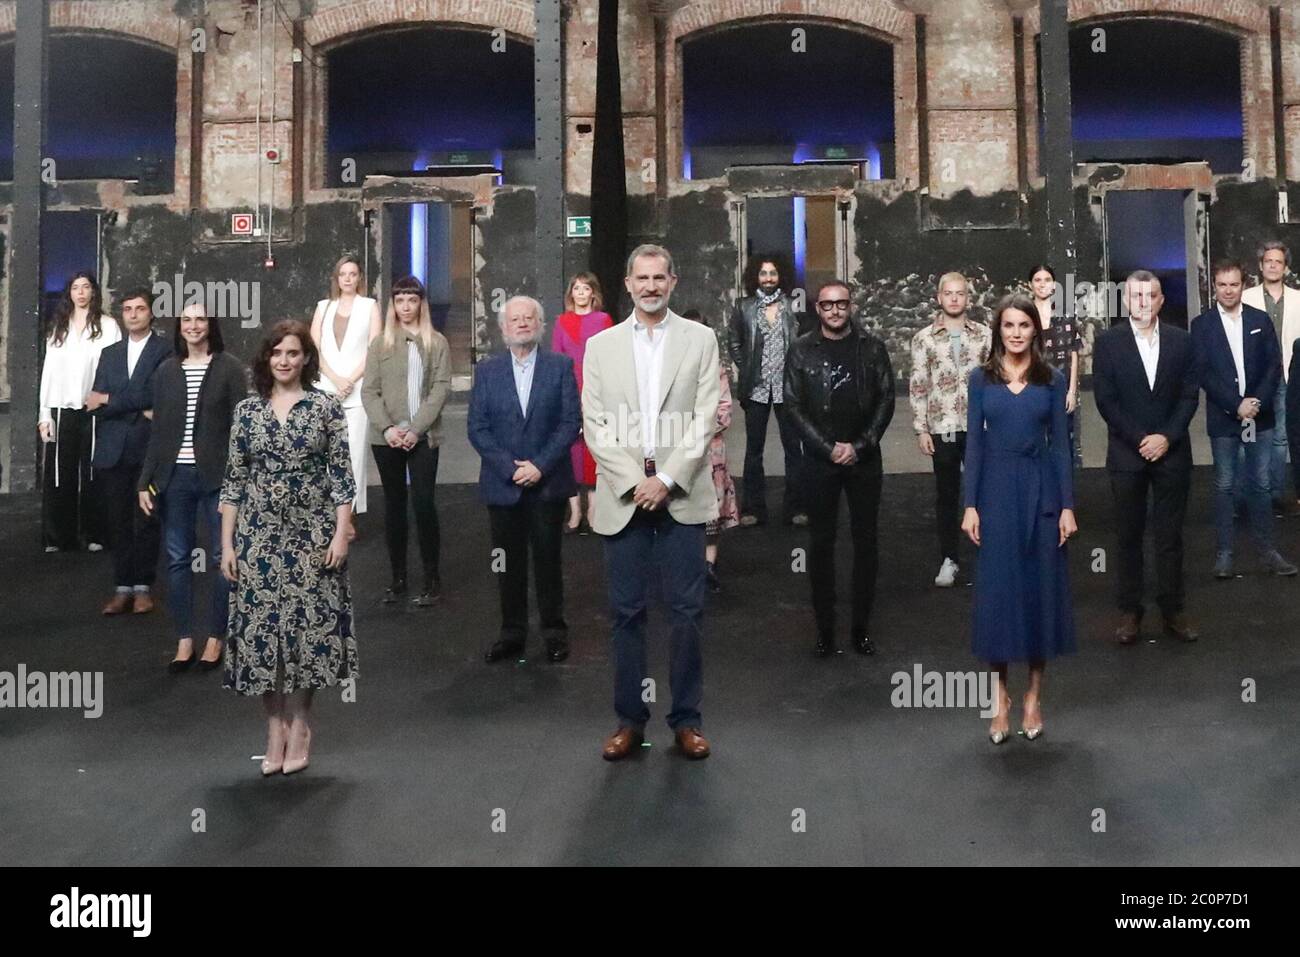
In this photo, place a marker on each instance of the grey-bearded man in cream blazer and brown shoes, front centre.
(649, 404)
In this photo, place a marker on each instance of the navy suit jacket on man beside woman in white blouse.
(122, 430)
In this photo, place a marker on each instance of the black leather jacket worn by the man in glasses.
(808, 397)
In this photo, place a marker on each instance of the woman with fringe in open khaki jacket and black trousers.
(408, 383)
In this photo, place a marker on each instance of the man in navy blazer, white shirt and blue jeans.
(1240, 365)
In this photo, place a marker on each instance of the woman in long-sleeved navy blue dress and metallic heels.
(1020, 509)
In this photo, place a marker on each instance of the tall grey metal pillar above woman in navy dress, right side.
(1058, 157)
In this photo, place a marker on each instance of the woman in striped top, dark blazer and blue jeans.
(196, 395)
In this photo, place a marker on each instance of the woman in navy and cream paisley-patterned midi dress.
(287, 508)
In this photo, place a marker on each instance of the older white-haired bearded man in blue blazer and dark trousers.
(525, 415)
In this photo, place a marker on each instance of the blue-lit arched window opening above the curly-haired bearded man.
(787, 93)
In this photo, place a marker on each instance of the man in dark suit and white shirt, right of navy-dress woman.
(1147, 392)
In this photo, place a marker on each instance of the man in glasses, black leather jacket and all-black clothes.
(840, 391)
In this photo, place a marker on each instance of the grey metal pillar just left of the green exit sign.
(549, 140)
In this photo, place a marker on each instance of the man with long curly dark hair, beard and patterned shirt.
(761, 334)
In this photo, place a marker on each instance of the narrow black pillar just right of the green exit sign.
(609, 176)
